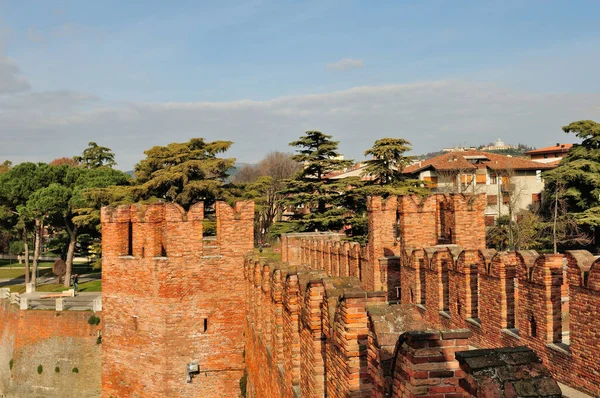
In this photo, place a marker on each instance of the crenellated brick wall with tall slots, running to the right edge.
(517, 299)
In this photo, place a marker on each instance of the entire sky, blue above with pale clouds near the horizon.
(133, 74)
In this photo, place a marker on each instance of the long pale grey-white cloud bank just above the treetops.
(431, 115)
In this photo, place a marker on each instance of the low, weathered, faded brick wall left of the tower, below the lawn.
(52, 339)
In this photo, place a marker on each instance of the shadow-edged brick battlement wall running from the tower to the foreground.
(313, 335)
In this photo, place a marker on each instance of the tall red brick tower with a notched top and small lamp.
(173, 299)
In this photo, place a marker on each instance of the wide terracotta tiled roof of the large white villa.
(460, 161)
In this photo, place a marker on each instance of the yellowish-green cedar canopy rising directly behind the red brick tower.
(185, 172)
